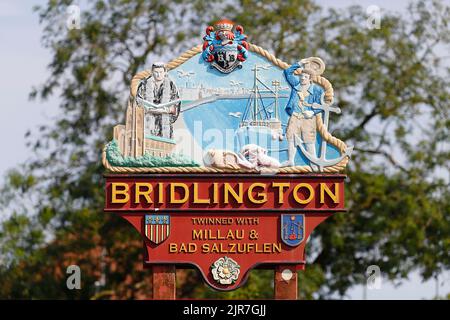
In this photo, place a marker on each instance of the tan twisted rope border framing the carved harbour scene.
(329, 96)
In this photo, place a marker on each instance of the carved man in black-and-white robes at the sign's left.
(159, 95)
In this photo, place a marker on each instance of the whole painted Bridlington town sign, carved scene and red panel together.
(225, 161)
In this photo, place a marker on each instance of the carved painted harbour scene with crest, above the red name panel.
(228, 105)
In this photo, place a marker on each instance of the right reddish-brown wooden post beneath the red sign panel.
(285, 285)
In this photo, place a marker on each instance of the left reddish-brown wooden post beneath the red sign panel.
(164, 285)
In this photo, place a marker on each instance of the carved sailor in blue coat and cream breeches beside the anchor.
(300, 108)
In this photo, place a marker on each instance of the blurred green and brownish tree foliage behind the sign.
(392, 84)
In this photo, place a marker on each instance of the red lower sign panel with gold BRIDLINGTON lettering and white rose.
(225, 225)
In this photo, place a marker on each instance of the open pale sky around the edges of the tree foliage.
(23, 64)
